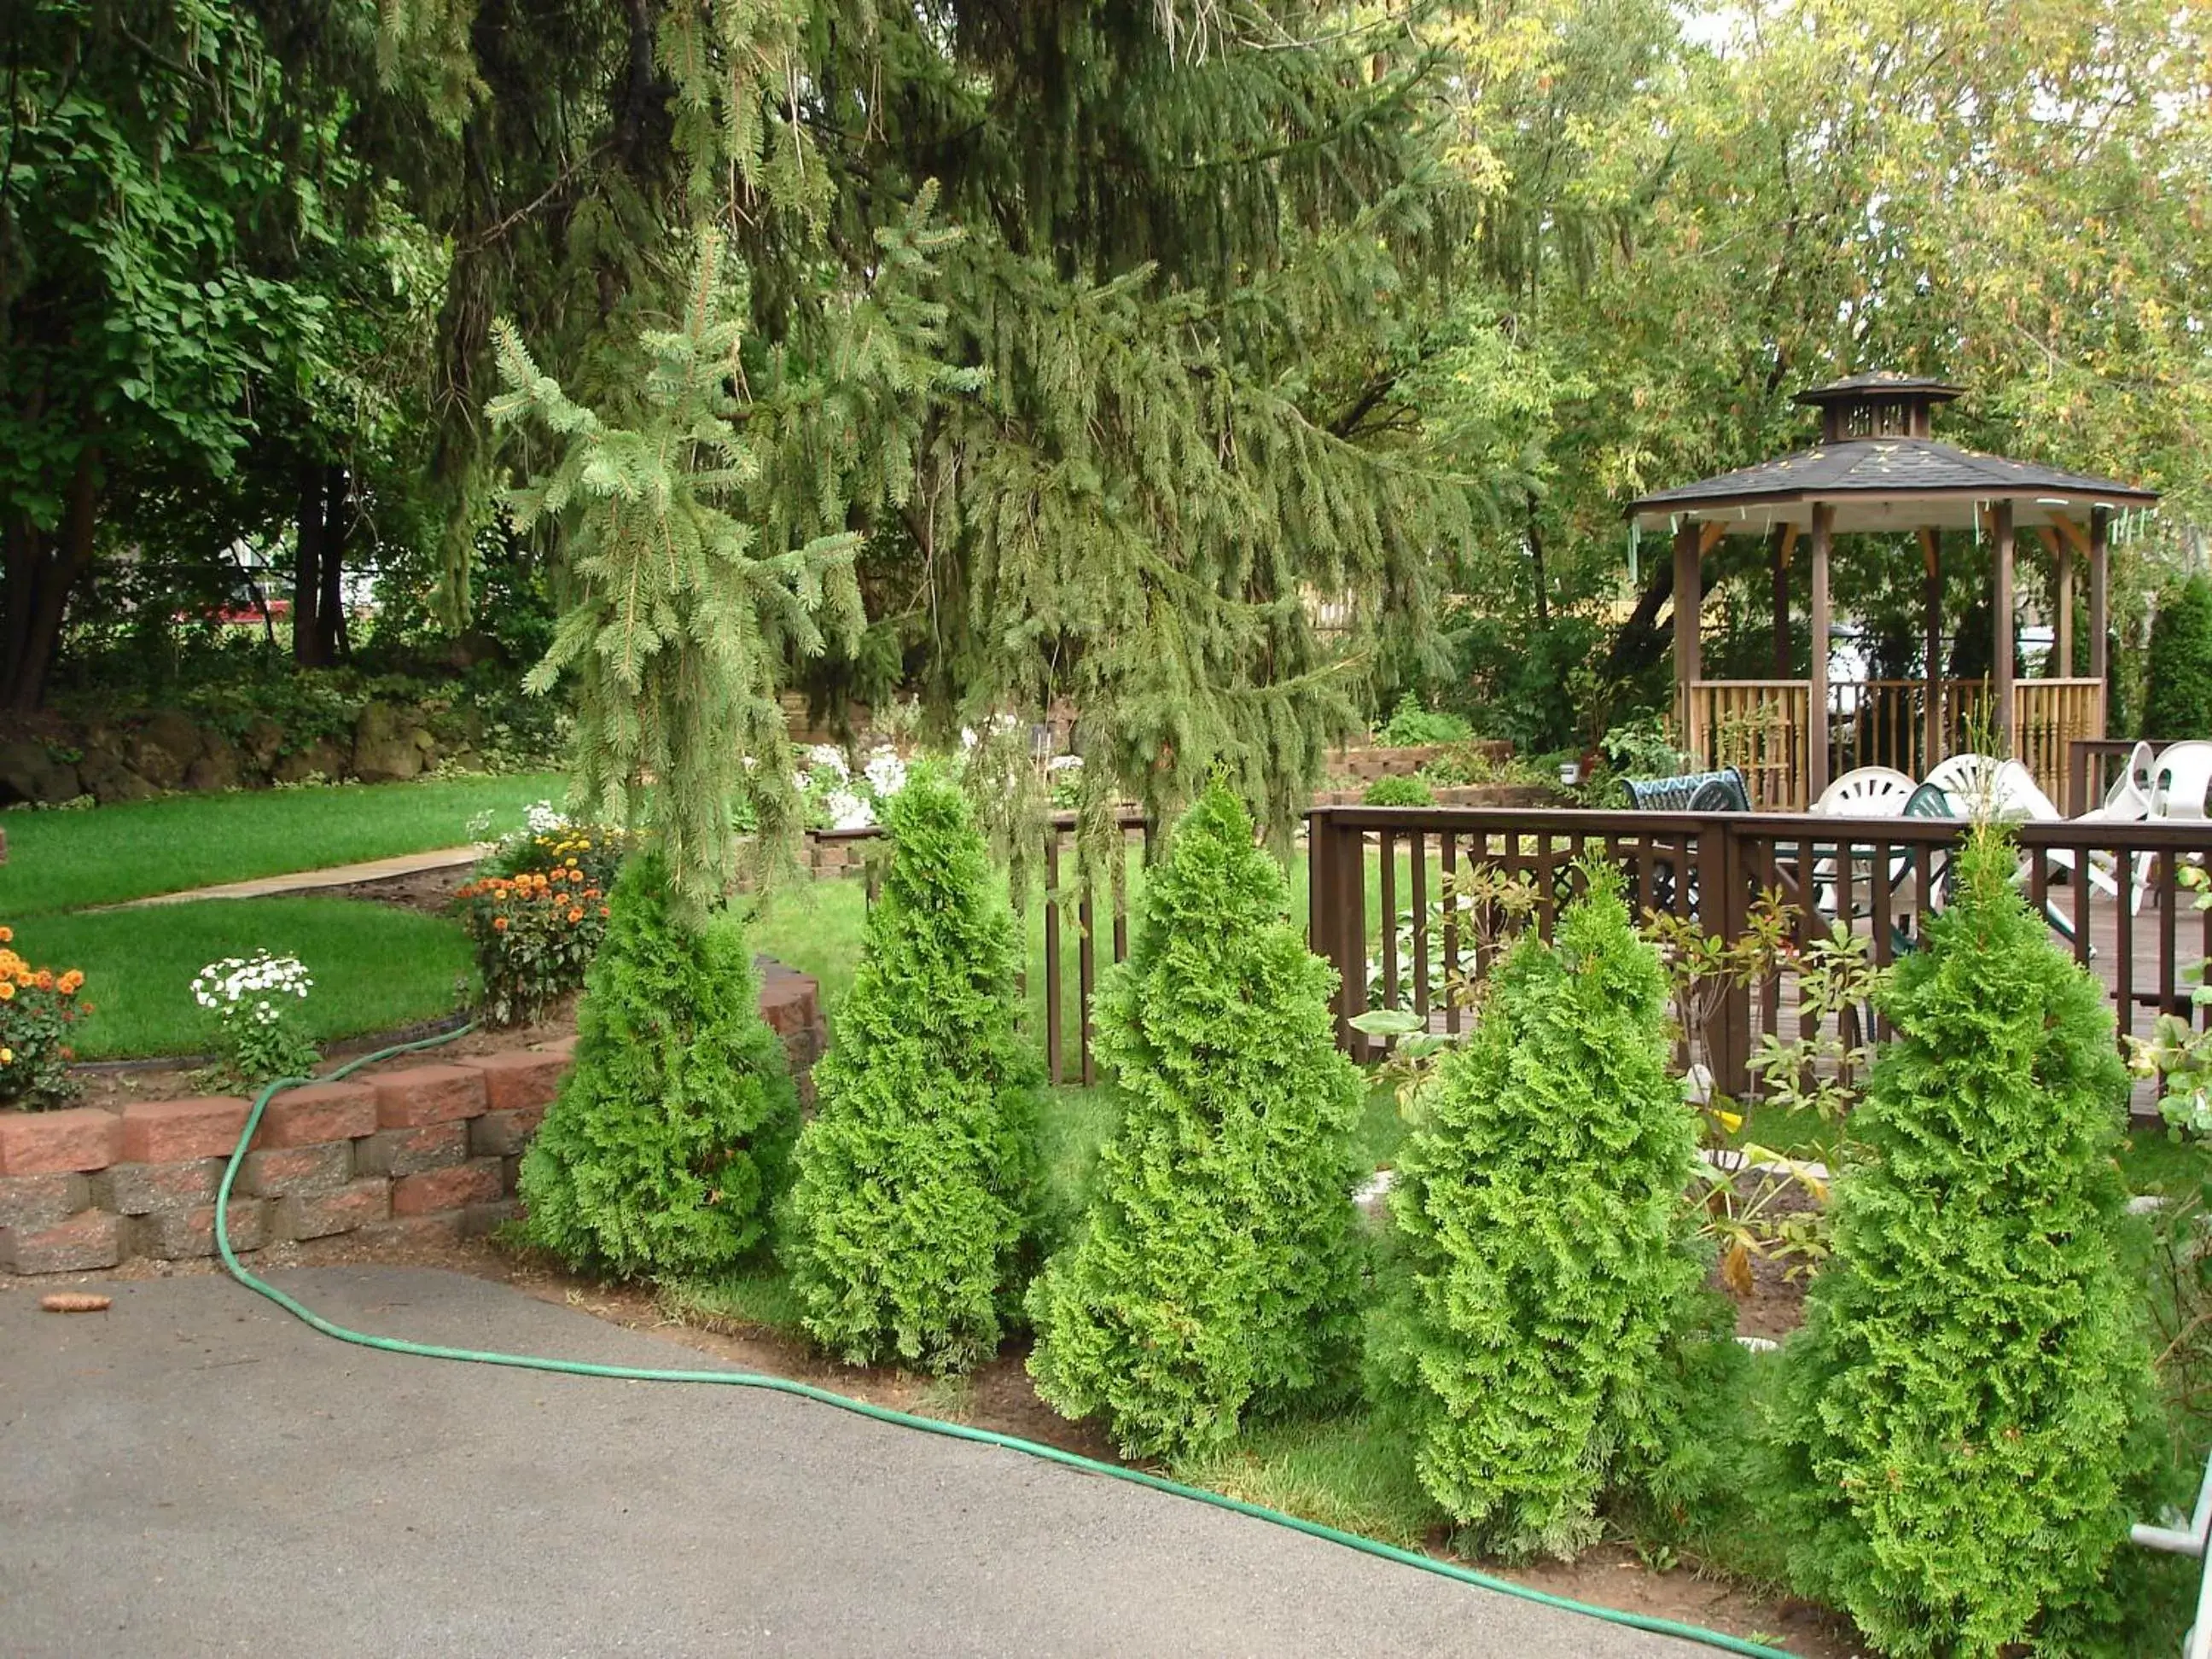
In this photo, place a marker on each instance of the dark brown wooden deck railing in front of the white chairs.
(1373, 864)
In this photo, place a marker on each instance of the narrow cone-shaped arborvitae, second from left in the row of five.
(915, 1207)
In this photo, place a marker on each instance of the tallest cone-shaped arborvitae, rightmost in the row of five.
(1957, 1415)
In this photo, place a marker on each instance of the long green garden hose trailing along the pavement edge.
(886, 1415)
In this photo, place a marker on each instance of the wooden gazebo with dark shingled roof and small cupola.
(1879, 472)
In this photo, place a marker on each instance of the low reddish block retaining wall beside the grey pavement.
(410, 1149)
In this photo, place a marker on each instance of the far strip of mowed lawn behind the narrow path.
(103, 857)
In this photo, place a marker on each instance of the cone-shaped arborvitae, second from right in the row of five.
(1547, 1337)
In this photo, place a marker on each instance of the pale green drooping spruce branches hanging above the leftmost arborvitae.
(700, 572)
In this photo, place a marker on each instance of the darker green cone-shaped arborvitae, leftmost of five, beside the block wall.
(674, 1129)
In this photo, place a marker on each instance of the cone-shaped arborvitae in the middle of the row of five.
(1215, 1273)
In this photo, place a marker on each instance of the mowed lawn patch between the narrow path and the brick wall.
(375, 968)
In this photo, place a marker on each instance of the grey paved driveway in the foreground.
(196, 1472)
